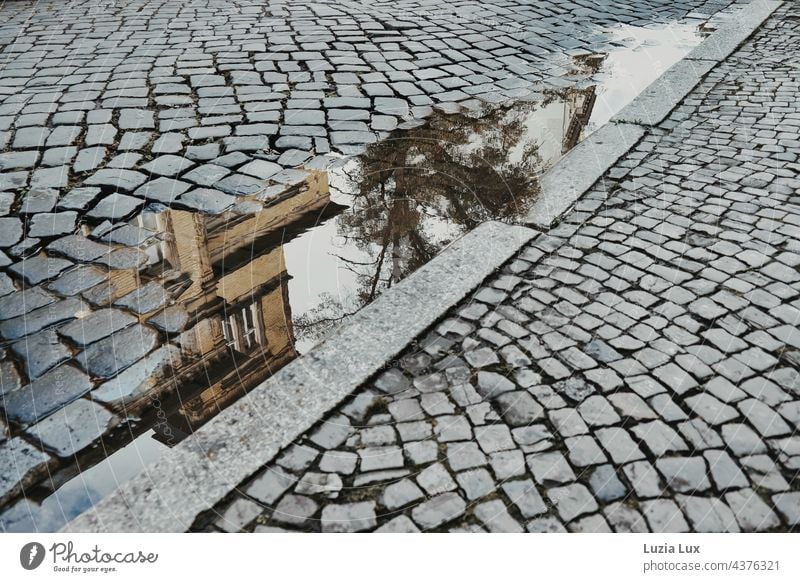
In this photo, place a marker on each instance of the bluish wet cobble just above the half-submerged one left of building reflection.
(110, 356)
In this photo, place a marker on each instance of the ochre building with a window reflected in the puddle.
(229, 280)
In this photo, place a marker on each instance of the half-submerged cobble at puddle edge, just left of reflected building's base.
(150, 376)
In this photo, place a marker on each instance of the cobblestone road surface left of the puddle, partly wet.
(207, 107)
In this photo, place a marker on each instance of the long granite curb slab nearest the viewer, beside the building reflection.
(169, 494)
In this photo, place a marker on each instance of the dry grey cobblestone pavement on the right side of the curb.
(636, 369)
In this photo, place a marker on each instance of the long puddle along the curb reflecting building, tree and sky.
(259, 289)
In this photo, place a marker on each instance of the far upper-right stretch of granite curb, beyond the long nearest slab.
(564, 183)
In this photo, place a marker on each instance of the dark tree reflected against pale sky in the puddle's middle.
(412, 194)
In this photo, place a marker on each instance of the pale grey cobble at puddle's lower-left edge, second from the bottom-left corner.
(74, 427)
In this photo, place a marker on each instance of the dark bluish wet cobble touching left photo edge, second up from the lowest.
(46, 394)
